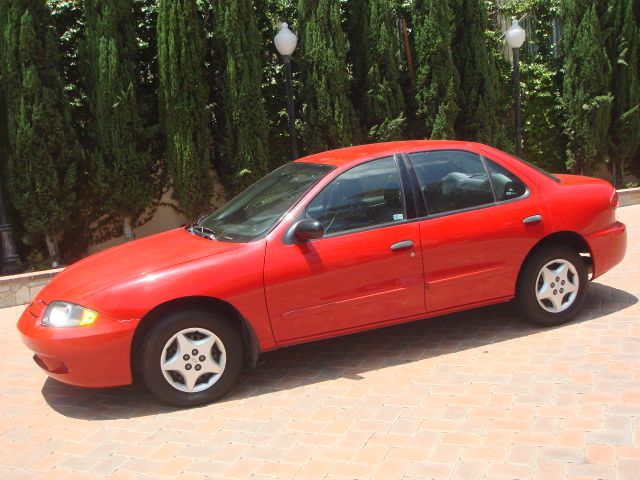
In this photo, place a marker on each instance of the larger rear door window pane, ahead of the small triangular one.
(451, 180)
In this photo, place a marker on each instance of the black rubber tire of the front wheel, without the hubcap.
(168, 326)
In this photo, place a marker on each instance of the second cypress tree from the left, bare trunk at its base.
(121, 164)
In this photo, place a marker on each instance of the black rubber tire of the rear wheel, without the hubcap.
(526, 298)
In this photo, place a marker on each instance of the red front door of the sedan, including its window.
(366, 269)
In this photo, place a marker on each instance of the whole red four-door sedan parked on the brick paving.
(335, 243)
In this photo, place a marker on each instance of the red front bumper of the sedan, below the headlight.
(96, 355)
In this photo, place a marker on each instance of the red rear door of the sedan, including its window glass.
(474, 236)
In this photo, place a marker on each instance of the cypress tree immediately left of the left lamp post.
(245, 145)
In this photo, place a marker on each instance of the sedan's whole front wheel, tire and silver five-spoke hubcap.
(191, 357)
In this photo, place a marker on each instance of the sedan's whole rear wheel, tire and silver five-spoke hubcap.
(552, 285)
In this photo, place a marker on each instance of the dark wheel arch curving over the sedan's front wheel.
(249, 339)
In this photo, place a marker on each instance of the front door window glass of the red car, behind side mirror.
(365, 196)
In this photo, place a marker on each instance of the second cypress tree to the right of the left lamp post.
(384, 105)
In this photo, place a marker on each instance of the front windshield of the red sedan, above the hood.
(256, 210)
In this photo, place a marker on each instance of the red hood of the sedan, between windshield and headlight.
(130, 260)
